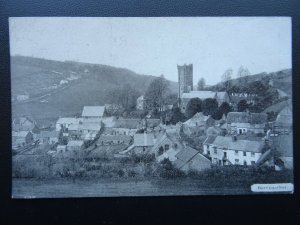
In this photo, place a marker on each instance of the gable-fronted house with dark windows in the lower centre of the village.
(167, 146)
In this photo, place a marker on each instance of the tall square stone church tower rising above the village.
(185, 79)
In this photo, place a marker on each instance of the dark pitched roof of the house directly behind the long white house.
(245, 117)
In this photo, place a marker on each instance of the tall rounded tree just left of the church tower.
(156, 93)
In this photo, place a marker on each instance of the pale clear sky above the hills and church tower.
(155, 46)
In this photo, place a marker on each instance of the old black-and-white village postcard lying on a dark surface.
(151, 106)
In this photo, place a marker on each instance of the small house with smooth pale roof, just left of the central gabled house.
(143, 143)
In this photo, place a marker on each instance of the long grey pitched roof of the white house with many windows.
(238, 145)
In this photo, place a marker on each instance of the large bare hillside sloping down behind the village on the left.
(54, 88)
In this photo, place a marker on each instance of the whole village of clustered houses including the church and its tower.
(100, 137)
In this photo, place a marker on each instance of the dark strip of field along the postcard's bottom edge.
(103, 188)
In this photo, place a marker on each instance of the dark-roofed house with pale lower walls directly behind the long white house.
(243, 122)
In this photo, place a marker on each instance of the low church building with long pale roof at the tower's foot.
(186, 97)
